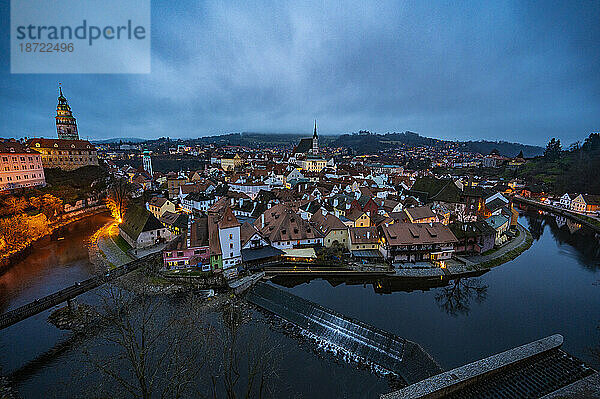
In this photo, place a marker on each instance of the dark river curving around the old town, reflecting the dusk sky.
(548, 289)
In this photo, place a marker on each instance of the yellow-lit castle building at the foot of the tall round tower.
(65, 154)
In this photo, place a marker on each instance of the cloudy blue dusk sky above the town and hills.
(457, 70)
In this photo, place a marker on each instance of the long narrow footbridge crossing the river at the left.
(67, 294)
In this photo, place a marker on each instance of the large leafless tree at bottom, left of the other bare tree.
(145, 351)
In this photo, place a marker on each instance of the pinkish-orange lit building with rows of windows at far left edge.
(20, 166)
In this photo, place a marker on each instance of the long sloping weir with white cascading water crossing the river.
(390, 352)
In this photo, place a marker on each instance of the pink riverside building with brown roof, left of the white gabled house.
(192, 249)
